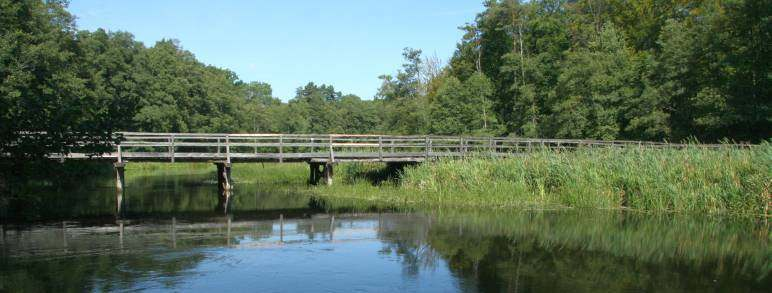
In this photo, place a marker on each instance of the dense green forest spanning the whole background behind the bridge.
(603, 69)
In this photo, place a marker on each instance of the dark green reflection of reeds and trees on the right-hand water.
(593, 251)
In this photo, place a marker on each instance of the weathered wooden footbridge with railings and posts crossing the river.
(321, 152)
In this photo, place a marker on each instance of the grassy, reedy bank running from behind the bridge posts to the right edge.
(694, 180)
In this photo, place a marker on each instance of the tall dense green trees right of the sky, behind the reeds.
(607, 69)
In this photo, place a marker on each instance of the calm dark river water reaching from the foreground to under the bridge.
(176, 233)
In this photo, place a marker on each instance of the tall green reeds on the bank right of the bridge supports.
(692, 180)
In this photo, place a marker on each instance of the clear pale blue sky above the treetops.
(288, 43)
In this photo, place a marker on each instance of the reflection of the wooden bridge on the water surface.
(150, 233)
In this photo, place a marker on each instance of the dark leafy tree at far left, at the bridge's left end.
(44, 89)
